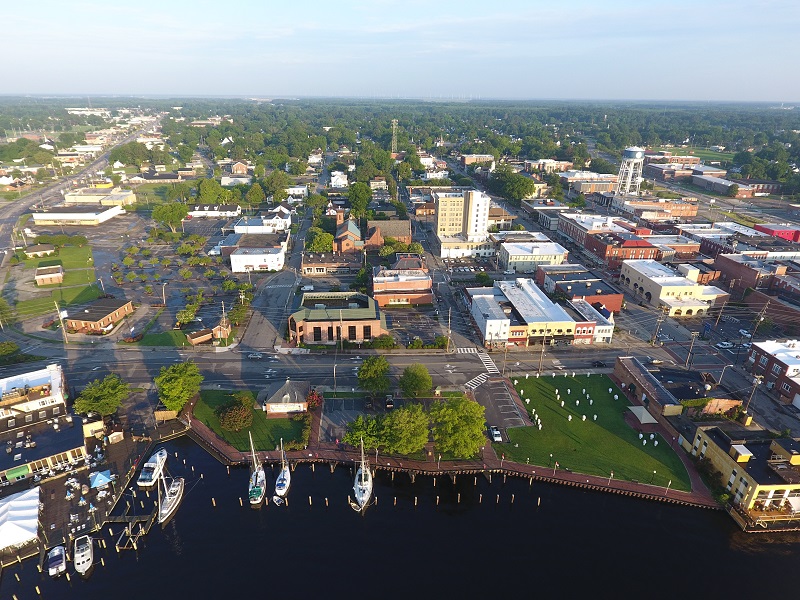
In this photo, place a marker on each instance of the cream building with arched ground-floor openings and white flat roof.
(670, 291)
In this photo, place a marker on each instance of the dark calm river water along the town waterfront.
(574, 542)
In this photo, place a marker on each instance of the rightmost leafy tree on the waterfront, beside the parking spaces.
(458, 425)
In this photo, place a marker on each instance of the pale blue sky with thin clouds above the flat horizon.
(706, 50)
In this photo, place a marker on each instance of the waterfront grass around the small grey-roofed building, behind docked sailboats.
(267, 433)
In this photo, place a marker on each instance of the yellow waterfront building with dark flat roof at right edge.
(761, 474)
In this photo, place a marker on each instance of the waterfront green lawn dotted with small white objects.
(591, 447)
